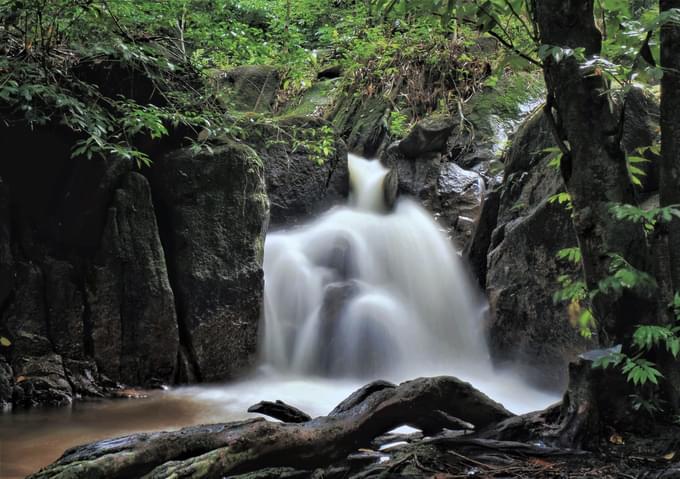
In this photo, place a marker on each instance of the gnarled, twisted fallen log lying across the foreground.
(241, 447)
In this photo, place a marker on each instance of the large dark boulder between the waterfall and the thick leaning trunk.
(528, 329)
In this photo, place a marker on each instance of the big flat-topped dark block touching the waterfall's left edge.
(215, 213)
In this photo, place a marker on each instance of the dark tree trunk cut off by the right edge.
(670, 170)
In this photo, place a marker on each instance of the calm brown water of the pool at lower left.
(30, 440)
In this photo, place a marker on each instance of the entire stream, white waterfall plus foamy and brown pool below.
(357, 294)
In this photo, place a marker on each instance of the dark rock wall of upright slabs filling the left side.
(110, 275)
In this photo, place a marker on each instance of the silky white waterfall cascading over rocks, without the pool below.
(365, 293)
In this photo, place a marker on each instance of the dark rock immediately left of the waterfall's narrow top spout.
(298, 187)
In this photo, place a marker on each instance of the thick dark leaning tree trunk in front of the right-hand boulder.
(587, 125)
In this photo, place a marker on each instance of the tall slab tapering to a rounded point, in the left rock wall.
(134, 326)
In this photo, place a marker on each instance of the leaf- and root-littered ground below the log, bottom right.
(621, 456)
